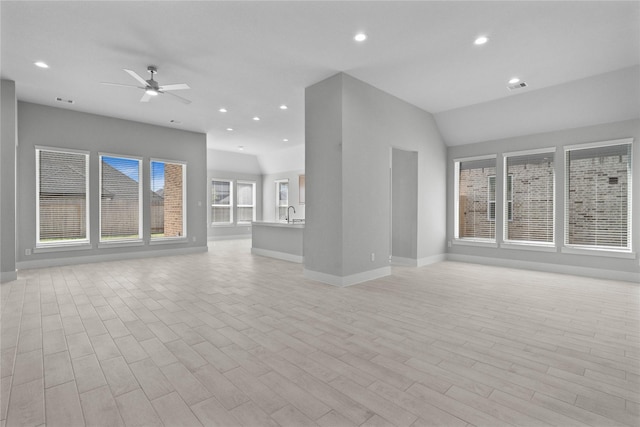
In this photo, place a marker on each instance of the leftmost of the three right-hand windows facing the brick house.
(475, 199)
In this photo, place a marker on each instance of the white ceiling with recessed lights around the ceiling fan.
(251, 57)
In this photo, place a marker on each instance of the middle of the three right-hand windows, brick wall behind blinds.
(530, 208)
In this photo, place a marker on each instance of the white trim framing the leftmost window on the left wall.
(71, 244)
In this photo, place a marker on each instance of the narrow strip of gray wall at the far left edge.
(8, 140)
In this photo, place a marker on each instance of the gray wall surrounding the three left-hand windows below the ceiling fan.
(55, 127)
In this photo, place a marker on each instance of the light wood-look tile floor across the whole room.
(230, 339)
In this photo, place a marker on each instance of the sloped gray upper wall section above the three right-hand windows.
(604, 98)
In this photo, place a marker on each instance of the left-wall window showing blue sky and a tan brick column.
(168, 194)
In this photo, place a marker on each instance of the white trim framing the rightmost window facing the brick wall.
(614, 252)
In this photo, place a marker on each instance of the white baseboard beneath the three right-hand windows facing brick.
(597, 273)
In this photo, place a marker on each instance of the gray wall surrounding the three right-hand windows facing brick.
(609, 267)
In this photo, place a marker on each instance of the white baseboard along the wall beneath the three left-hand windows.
(57, 262)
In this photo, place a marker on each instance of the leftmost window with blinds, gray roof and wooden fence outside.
(63, 204)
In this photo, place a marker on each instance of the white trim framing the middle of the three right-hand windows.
(524, 244)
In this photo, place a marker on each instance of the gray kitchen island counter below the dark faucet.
(277, 240)
